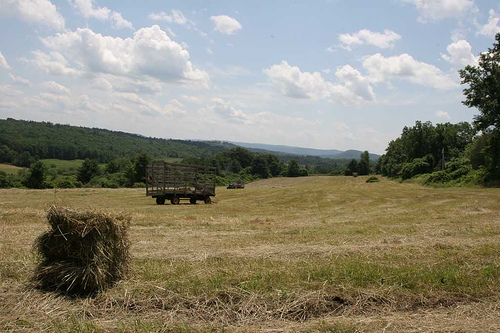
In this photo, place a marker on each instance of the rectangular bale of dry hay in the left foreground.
(84, 252)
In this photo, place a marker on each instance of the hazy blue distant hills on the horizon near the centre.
(290, 150)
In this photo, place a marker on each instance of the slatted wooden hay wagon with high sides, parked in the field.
(174, 182)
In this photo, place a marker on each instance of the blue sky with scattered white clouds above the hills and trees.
(323, 74)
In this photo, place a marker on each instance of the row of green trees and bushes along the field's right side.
(455, 153)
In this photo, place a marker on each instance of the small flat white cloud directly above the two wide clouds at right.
(384, 40)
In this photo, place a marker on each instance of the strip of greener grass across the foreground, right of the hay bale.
(263, 276)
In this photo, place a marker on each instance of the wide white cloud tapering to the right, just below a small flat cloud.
(405, 67)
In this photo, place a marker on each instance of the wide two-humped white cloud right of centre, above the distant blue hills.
(352, 88)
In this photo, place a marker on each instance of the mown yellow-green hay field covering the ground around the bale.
(328, 254)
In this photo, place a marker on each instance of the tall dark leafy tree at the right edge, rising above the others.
(483, 92)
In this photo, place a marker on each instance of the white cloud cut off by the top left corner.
(34, 11)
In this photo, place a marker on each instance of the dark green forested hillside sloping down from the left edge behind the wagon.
(18, 138)
